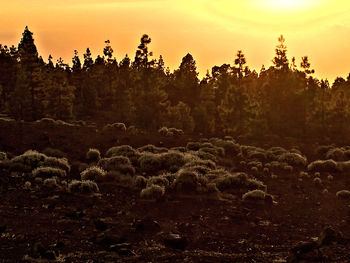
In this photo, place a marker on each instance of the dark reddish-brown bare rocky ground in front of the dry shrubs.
(117, 226)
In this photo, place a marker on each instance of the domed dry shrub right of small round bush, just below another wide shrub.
(120, 164)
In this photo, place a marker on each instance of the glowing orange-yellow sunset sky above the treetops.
(212, 31)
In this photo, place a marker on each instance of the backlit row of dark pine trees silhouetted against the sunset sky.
(284, 99)
